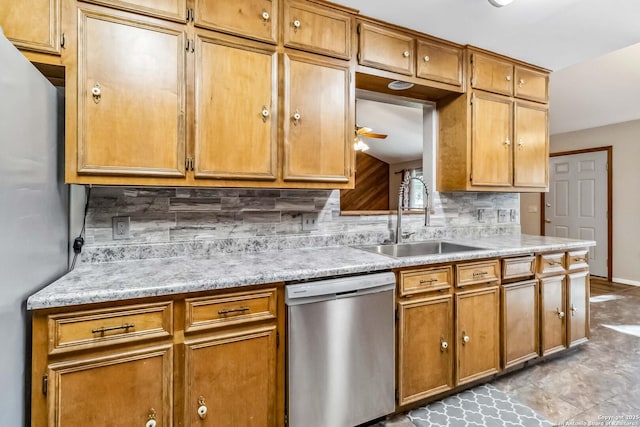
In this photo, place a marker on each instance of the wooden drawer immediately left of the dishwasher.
(221, 310)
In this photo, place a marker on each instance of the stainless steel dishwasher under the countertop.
(341, 369)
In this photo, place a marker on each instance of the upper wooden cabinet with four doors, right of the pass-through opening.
(490, 140)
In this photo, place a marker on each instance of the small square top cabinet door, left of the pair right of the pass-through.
(492, 74)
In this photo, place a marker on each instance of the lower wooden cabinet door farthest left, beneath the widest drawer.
(120, 390)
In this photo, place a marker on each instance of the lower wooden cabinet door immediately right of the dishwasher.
(425, 351)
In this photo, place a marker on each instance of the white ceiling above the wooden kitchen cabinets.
(565, 36)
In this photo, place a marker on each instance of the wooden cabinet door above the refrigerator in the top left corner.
(32, 24)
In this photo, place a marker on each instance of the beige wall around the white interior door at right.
(625, 140)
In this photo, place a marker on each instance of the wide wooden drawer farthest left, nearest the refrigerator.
(96, 328)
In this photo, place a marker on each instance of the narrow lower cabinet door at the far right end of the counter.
(578, 308)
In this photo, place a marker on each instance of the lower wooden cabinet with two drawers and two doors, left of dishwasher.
(201, 361)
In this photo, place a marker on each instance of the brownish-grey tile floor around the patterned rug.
(596, 383)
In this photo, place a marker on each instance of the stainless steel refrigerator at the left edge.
(33, 215)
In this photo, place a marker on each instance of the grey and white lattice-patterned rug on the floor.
(482, 406)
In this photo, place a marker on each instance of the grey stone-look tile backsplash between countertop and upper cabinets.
(230, 220)
